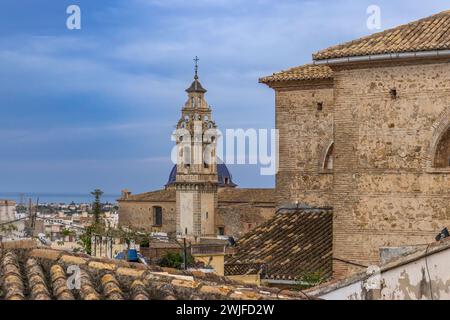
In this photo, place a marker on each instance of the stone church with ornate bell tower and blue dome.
(200, 199)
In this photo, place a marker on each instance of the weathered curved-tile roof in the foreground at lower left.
(42, 274)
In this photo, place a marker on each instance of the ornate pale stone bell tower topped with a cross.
(196, 180)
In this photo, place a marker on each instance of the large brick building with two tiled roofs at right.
(365, 129)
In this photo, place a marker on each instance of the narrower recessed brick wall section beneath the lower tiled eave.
(305, 135)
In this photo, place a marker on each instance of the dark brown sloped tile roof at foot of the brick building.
(286, 246)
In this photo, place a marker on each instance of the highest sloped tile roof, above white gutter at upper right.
(431, 33)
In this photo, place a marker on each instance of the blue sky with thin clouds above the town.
(95, 107)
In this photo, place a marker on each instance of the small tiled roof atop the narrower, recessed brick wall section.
(305, 72)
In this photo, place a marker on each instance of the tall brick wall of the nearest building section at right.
(384, 193)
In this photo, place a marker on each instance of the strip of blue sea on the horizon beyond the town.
(49, 197)
